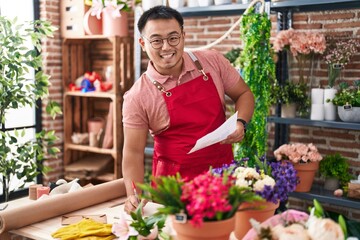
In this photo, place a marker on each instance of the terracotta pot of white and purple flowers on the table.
(272, 181)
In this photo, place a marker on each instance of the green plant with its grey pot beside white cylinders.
(347, 100)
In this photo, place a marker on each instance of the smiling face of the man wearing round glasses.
(168, 39)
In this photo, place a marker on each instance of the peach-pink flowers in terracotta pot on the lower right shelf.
(305, 158)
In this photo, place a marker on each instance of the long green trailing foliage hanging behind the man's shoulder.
(257, 64)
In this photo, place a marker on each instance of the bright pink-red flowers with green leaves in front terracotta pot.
(205, 205)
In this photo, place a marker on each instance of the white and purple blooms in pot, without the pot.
(271, 180)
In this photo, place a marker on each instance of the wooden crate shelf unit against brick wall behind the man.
(94, 53)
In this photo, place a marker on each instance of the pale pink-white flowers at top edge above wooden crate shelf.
(116, 6)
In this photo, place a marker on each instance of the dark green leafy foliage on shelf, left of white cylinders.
(291, 93)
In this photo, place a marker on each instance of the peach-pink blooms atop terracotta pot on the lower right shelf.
(298, 153)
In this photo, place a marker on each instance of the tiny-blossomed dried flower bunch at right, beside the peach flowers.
(338, 54)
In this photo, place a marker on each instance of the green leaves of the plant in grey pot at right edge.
(348, 94)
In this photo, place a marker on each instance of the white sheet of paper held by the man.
(219, 134)
